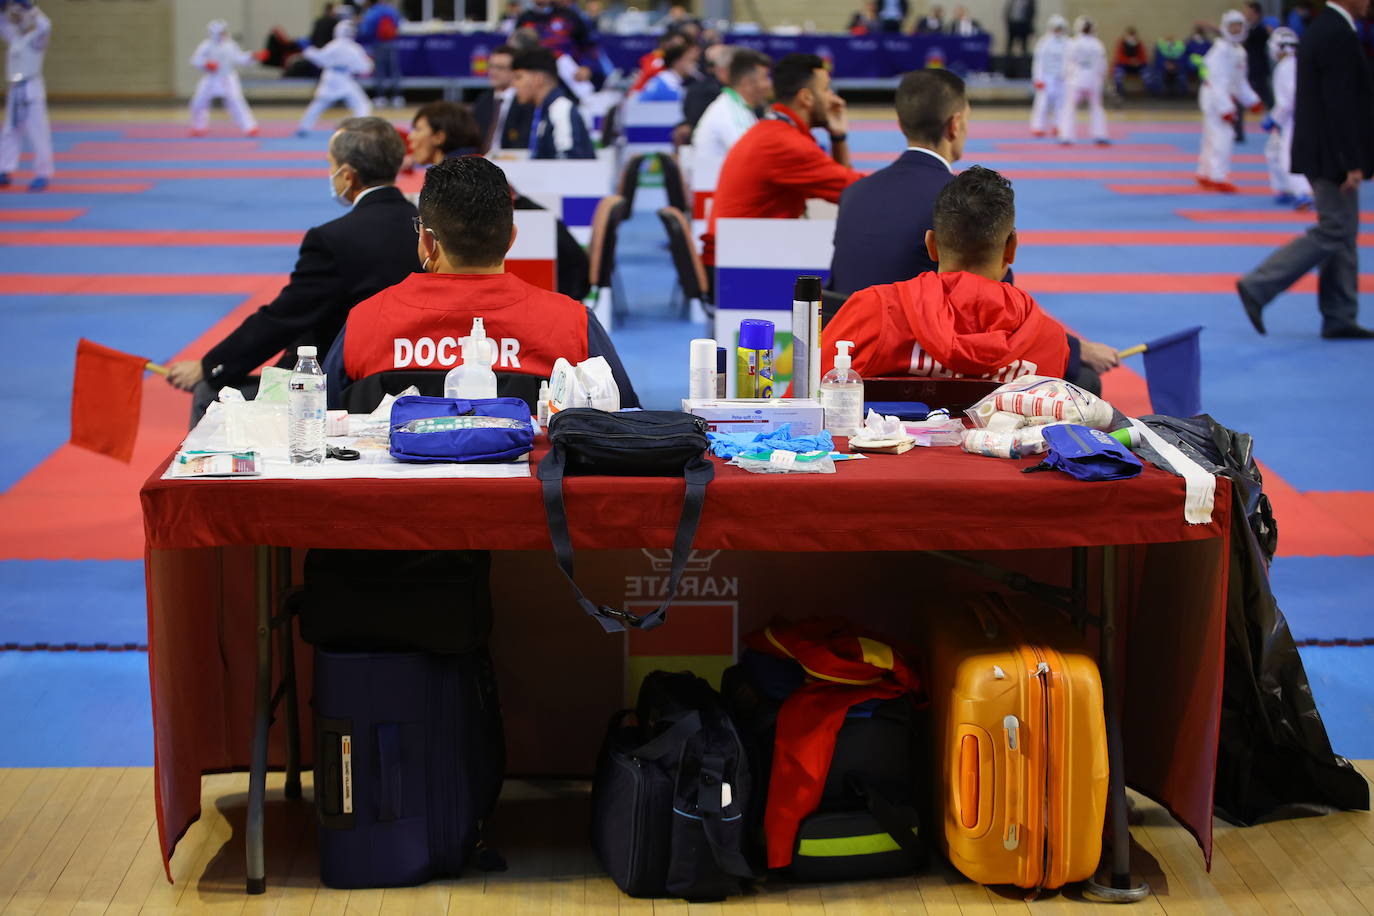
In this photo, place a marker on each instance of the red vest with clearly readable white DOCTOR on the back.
(417, 325)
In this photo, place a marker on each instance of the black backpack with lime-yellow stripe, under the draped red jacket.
(869, 822)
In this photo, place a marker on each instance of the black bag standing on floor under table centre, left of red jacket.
(671, 793)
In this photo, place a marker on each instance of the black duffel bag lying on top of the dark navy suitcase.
(396, 601)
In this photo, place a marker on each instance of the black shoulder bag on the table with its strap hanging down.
(634, 444)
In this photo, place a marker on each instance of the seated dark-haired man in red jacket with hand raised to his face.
(778, 165)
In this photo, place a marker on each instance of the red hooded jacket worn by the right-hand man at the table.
(947, 325)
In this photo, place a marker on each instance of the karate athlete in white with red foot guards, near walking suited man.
(1225, 84)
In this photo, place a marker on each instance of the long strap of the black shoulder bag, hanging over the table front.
(696, 474)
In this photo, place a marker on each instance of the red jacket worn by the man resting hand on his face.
(770, 174)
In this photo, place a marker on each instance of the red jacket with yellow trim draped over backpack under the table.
(844, 667)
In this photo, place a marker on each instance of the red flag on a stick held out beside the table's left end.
(106, 396)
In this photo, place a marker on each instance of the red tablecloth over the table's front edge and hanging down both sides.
(1174, 593)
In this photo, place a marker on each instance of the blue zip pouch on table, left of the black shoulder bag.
(431, 429)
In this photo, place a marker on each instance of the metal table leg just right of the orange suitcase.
(1119, 891)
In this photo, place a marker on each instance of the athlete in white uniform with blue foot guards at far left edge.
(27, 31)
